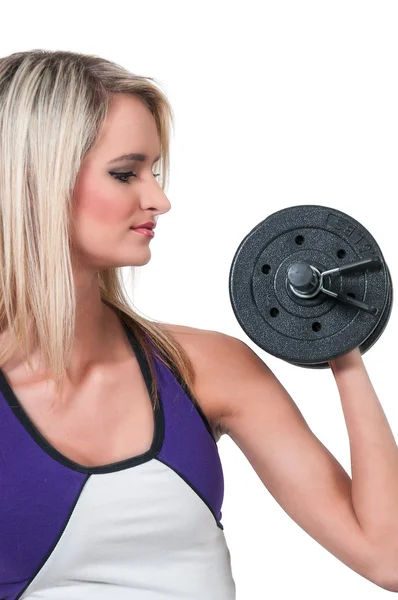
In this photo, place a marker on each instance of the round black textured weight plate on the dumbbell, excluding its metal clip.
(307, 332)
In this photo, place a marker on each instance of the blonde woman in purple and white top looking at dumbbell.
(111, 482)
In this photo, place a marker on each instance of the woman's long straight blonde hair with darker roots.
(52, 105)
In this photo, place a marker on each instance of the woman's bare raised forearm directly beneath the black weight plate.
(374, 454)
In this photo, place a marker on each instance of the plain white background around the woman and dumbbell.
(276, 104)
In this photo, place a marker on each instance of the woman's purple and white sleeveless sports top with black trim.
(145, 528)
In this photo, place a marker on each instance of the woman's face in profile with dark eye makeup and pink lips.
(105, 207)
